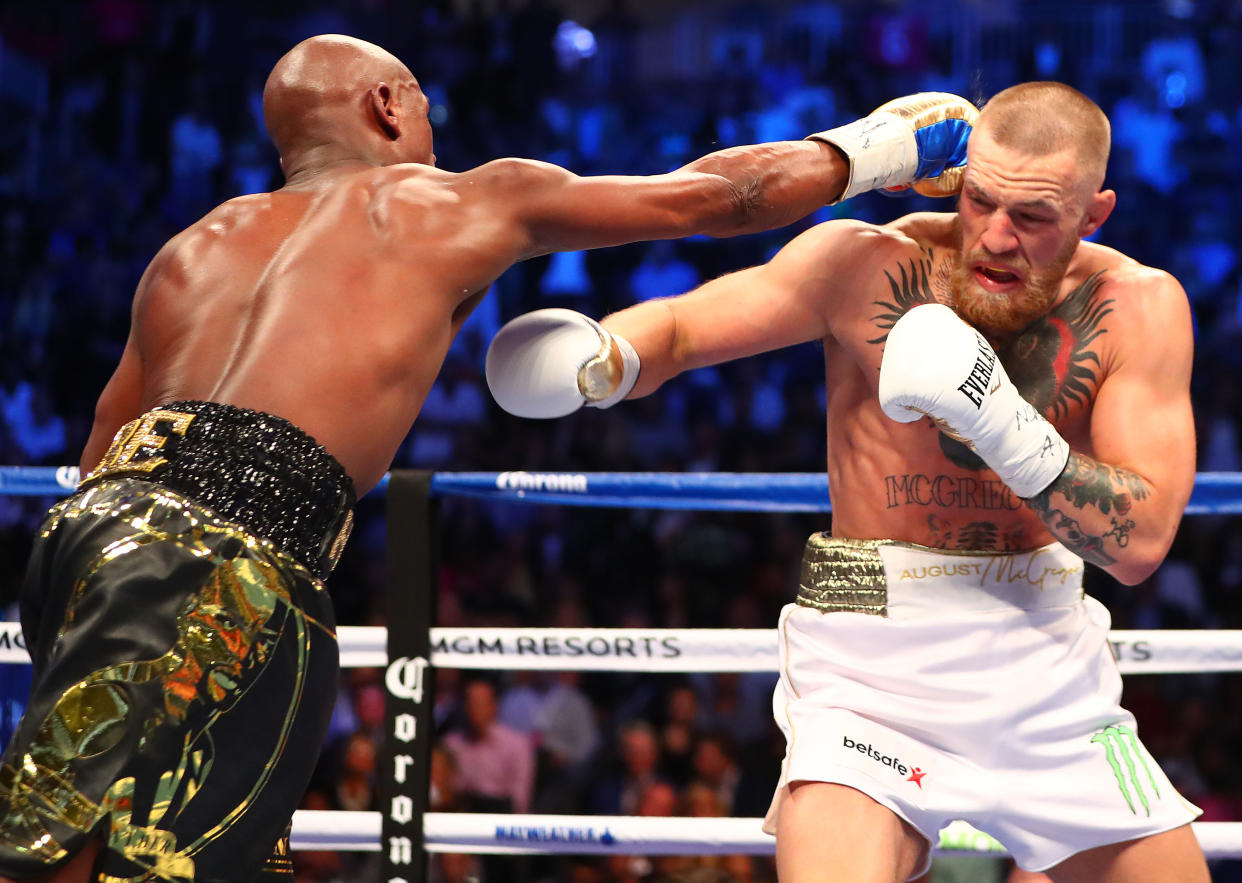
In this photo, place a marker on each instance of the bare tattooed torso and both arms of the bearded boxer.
(1108, 365)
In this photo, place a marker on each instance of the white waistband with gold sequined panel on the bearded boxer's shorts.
(902, 581)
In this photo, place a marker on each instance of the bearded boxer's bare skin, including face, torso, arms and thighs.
(1101, 345)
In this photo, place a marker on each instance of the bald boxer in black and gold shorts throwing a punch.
(280, 352)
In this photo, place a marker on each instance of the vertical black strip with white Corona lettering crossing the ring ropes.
(409, 680)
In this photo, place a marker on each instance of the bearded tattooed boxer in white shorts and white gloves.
(1005, 403)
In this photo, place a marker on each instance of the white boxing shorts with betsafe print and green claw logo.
(966, 686)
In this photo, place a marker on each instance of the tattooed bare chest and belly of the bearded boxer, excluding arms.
(912, 482)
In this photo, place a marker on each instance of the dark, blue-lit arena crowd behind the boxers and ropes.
(127, 120)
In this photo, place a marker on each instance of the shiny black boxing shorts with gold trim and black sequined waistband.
(184, 653)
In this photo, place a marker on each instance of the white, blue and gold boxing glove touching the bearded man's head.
(918, 141)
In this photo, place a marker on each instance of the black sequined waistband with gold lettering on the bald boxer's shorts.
(247, 466)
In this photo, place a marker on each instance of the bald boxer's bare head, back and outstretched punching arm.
(332, 301)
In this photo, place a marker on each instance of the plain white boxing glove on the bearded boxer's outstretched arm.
(552, 362)
